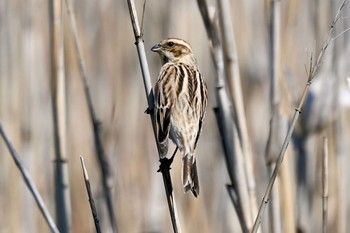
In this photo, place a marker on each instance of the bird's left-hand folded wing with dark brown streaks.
(164, 101)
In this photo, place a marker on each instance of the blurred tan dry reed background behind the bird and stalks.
(118, 96)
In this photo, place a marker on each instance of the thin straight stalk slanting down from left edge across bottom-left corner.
(29, 182)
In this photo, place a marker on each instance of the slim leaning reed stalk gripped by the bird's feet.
(150, 100)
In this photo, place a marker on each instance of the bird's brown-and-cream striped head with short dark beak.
(175, 50)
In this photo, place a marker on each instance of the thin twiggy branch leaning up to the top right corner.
(311, 75)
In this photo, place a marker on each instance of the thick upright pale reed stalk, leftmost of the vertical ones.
(58, 97)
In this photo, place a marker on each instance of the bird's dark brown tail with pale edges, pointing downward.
(189, 174)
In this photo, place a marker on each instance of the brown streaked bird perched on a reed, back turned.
(180, 102)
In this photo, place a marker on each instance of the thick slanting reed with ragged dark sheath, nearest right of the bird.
(238, 189)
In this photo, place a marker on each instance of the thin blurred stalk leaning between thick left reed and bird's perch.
(101, 155)
